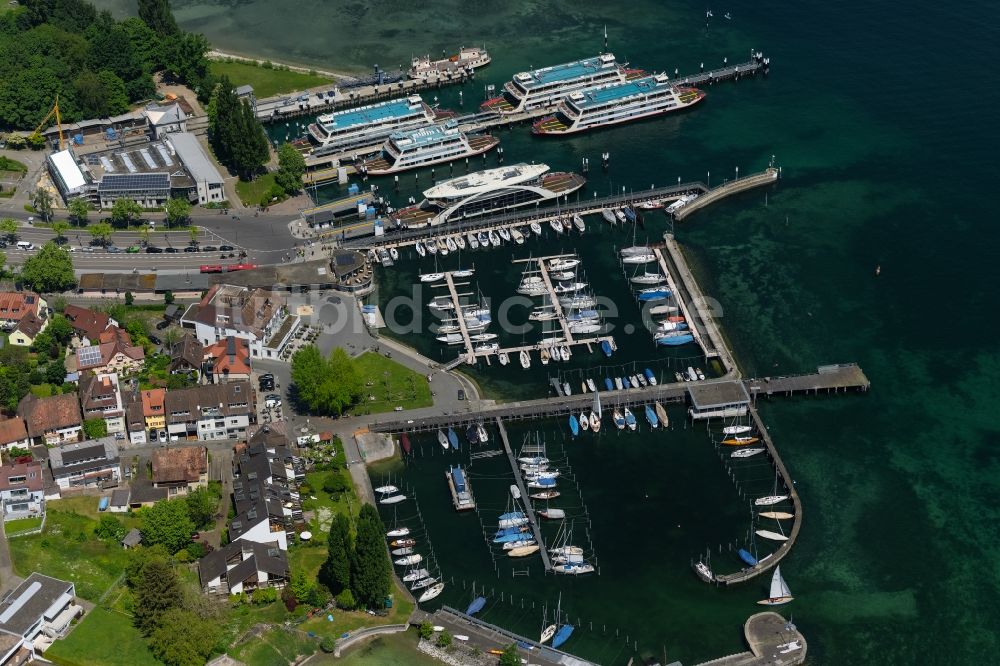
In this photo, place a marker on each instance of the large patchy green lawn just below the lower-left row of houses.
(68, 549)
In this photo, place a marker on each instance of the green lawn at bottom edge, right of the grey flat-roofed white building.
(103, 637)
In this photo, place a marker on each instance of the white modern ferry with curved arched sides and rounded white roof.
(489, 191)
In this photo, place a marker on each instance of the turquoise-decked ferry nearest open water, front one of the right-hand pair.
(618, 103)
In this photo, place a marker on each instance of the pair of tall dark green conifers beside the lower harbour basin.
(357, 570)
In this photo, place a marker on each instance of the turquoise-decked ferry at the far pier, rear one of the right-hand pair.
(545, 88)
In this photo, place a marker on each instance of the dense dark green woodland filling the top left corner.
(97, 65)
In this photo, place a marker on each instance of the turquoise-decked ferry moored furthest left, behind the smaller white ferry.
(370, 124)
